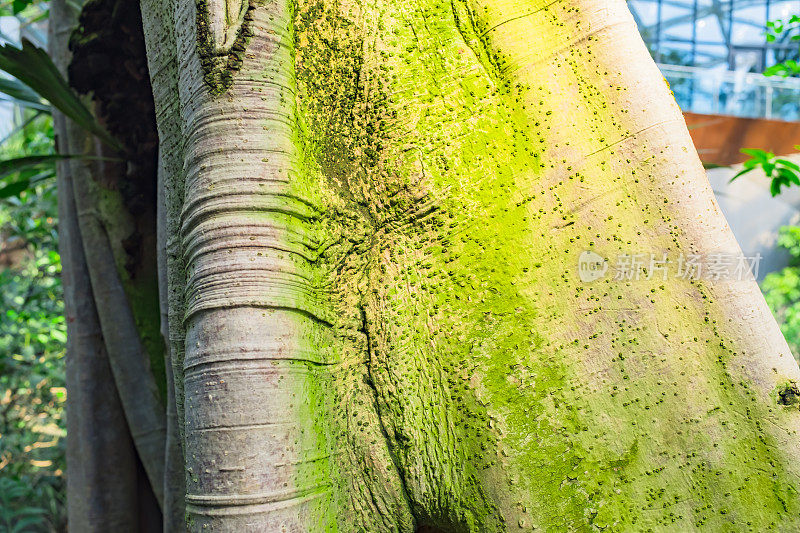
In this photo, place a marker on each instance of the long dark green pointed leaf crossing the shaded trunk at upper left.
(32, 66)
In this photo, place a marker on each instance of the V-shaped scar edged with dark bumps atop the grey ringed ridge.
(222, 50)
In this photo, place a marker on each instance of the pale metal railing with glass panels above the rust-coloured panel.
(741, 94)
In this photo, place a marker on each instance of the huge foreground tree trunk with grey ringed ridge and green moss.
(373, 216)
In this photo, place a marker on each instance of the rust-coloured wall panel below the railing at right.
(719, 138)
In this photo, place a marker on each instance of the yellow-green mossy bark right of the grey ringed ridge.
(464, 378)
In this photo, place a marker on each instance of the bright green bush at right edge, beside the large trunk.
(782, 289)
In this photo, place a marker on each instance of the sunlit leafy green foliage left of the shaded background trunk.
(32, 341)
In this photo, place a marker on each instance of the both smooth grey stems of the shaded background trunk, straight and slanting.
(115, 449)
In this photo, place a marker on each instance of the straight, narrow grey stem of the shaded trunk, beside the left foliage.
(101, 479)
